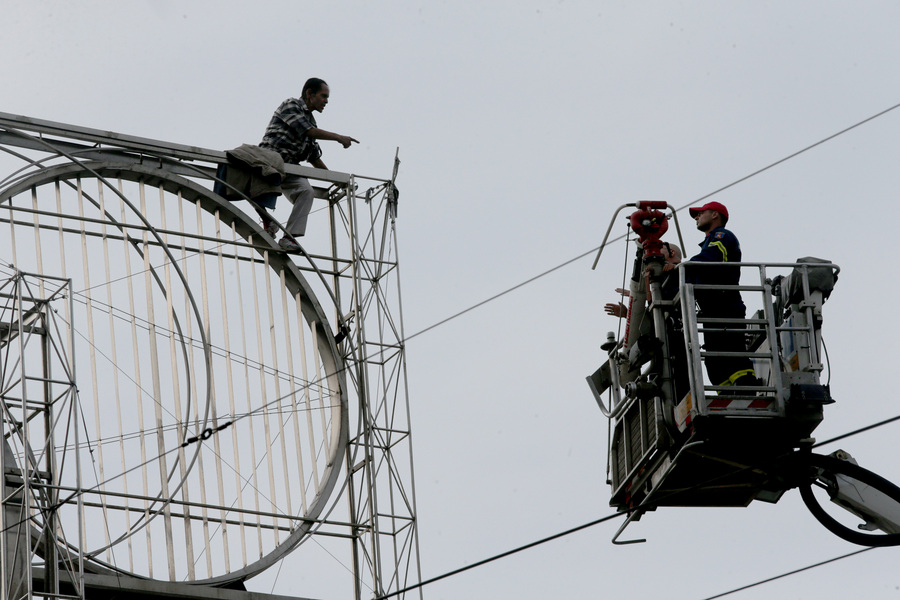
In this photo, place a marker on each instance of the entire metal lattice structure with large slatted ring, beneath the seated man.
(231, 400)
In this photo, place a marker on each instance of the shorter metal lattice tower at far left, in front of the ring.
(37, 393)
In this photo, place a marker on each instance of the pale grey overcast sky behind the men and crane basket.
(522, 126)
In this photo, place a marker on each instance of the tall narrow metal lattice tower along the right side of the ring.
(378, 456)
